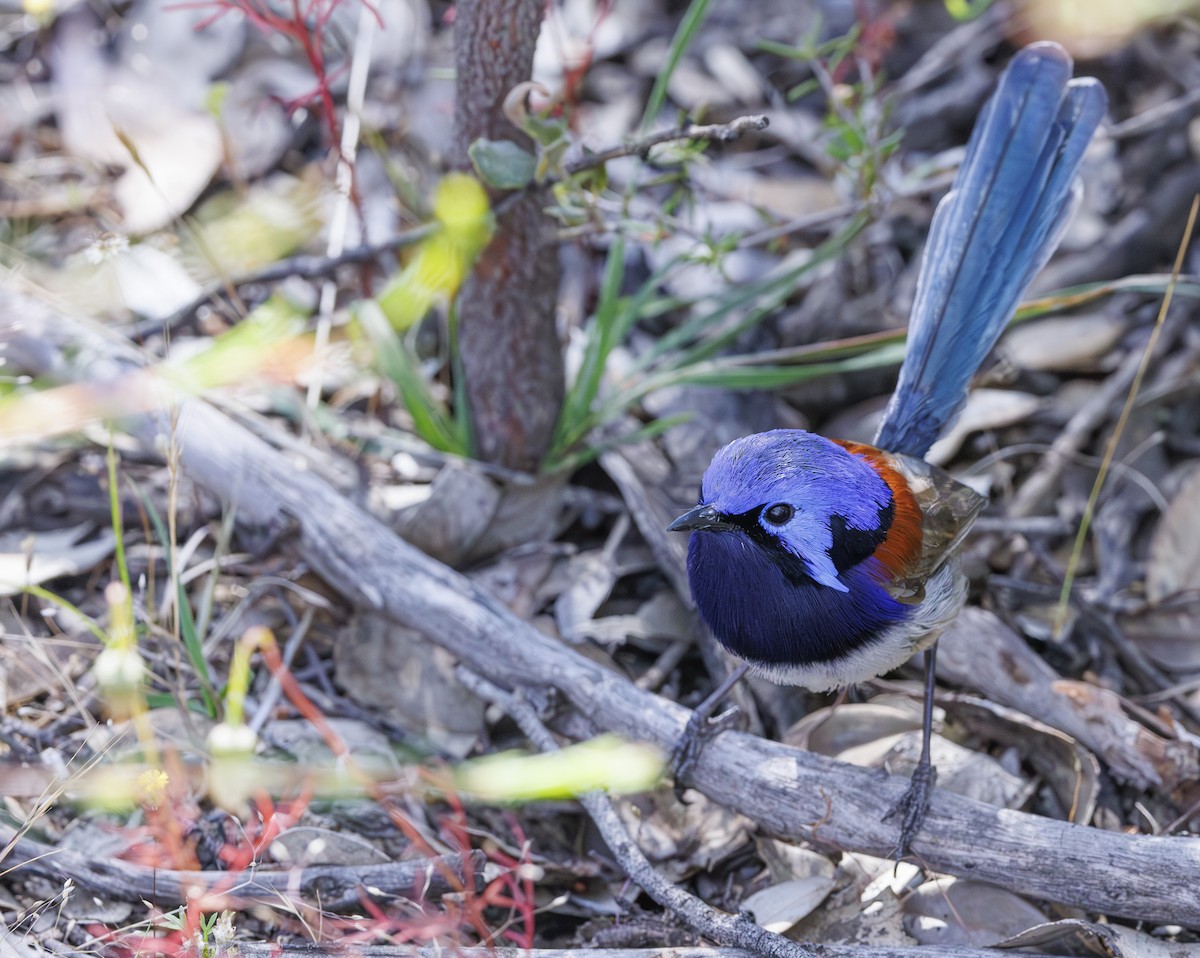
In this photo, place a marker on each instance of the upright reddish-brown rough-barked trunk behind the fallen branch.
(512, 356)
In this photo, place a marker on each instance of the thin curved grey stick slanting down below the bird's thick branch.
(731, 931)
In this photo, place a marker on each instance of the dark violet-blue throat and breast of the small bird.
(764, 607)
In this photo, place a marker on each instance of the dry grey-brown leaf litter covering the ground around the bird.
(133, 194)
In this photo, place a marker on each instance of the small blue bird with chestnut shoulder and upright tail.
(823, 564)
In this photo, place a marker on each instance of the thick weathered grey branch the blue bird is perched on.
(791, 794)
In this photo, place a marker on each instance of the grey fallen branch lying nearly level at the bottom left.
(333, 888)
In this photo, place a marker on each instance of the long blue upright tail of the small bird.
(992, 235)
